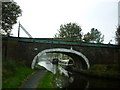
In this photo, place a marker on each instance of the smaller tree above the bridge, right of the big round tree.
(94, 36)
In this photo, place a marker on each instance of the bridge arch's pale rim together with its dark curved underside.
(80, 60)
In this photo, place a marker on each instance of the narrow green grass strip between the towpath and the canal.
(48, 81)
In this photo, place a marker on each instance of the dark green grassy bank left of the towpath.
(14, 74)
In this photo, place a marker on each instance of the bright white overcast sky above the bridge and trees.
(42, 18)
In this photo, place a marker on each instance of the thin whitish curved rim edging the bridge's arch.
(72, 53)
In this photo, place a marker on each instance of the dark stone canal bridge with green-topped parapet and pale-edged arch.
(26, 49)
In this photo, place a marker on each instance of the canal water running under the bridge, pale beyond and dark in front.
(67, 79)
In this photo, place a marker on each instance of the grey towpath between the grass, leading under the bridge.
(33, 81)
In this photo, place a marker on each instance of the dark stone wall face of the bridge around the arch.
(26, 51)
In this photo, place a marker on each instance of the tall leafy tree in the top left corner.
(10, 12)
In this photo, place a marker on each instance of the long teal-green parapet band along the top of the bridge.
(60, 41)
